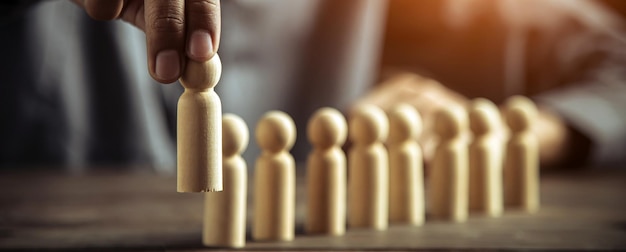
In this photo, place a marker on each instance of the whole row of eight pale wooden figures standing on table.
(385, 183)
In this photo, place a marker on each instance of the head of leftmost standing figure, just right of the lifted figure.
(235, 135)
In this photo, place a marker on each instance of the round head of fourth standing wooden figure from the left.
(368, 124)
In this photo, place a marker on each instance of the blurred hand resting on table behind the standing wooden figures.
(559, 144)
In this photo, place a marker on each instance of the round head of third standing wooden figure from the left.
(327, 128)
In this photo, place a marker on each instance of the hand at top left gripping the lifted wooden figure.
(174, 29)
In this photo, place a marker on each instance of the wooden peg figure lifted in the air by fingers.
(199, 128)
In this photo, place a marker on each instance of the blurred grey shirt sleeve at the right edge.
(596, 107)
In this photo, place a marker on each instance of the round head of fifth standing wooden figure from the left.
(405, 123)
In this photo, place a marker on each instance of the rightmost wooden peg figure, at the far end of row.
(521, 169)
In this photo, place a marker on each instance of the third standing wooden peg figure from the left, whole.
(326, 173)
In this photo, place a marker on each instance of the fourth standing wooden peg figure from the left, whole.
(368, 182)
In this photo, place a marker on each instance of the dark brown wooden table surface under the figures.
(584, 209)
